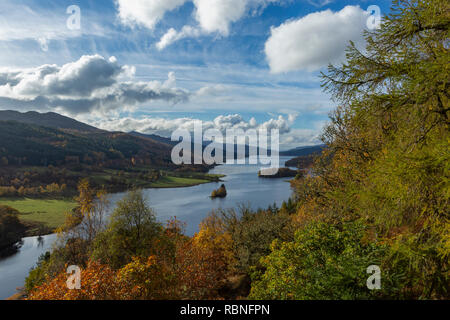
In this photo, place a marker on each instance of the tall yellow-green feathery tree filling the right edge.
(389, 141)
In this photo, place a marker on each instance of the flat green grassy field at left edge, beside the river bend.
(49, 213)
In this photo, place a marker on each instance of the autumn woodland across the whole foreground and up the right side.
(378, 195)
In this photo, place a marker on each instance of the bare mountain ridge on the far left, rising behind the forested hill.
(50, 119)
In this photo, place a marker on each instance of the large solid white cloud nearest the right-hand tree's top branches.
(314, 41)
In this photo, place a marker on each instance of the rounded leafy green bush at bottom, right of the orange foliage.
(323, 262)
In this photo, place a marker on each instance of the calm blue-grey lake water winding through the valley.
(189, 205)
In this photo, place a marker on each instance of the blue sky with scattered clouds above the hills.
(154, 66)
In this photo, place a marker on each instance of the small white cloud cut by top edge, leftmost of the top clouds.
(146, 13)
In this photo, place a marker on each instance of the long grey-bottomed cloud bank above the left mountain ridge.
(91, 84)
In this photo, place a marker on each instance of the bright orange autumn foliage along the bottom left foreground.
(182, 268)
